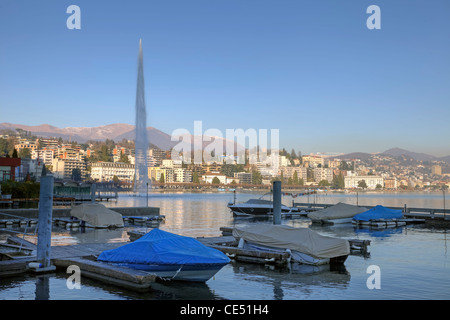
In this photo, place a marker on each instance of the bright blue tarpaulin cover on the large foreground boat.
(164, 248)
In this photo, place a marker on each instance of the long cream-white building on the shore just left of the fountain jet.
(105, 171)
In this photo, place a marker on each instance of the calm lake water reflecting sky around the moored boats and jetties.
(413, 261)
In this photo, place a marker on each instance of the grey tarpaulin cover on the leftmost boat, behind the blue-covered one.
(97, 215)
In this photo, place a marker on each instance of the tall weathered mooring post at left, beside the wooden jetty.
(45, 223)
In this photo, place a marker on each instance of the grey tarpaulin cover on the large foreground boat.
(303, 240)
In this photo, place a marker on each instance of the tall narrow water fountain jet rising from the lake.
(141, 143)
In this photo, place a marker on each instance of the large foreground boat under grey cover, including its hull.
(303, 244)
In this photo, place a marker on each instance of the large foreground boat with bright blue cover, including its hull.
(169, 256)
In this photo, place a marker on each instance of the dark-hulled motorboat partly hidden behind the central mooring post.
(257, 207)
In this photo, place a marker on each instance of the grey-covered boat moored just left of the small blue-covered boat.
(337, 214)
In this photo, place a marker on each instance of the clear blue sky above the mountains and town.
(312, 69)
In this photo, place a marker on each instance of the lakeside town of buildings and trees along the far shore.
(22, 156)
